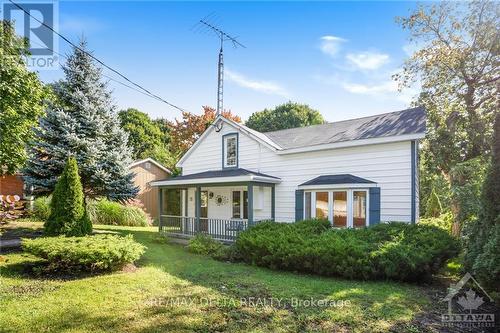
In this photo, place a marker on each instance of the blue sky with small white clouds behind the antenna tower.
(337, 57)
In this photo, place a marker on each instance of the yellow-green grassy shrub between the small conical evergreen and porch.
(108, 212)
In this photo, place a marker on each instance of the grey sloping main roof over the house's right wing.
(410, 121)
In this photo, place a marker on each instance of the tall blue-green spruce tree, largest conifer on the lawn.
(82, 123)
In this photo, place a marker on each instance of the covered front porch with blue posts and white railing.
(217, 203)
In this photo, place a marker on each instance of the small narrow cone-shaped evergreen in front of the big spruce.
(68, 214)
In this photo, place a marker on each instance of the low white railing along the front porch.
(221, 229)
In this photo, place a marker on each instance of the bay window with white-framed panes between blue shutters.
(344, 208)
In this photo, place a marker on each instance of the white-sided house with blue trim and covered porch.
(368, 169)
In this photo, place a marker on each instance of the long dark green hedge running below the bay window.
(398, 251)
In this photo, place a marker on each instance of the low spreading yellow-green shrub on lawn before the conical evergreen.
(87, 253)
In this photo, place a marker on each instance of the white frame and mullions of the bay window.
(350, 201)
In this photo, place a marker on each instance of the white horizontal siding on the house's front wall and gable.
(387, 164)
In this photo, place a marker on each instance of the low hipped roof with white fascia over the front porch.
(225, 176)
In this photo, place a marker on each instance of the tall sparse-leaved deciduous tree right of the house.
(457, 64)
